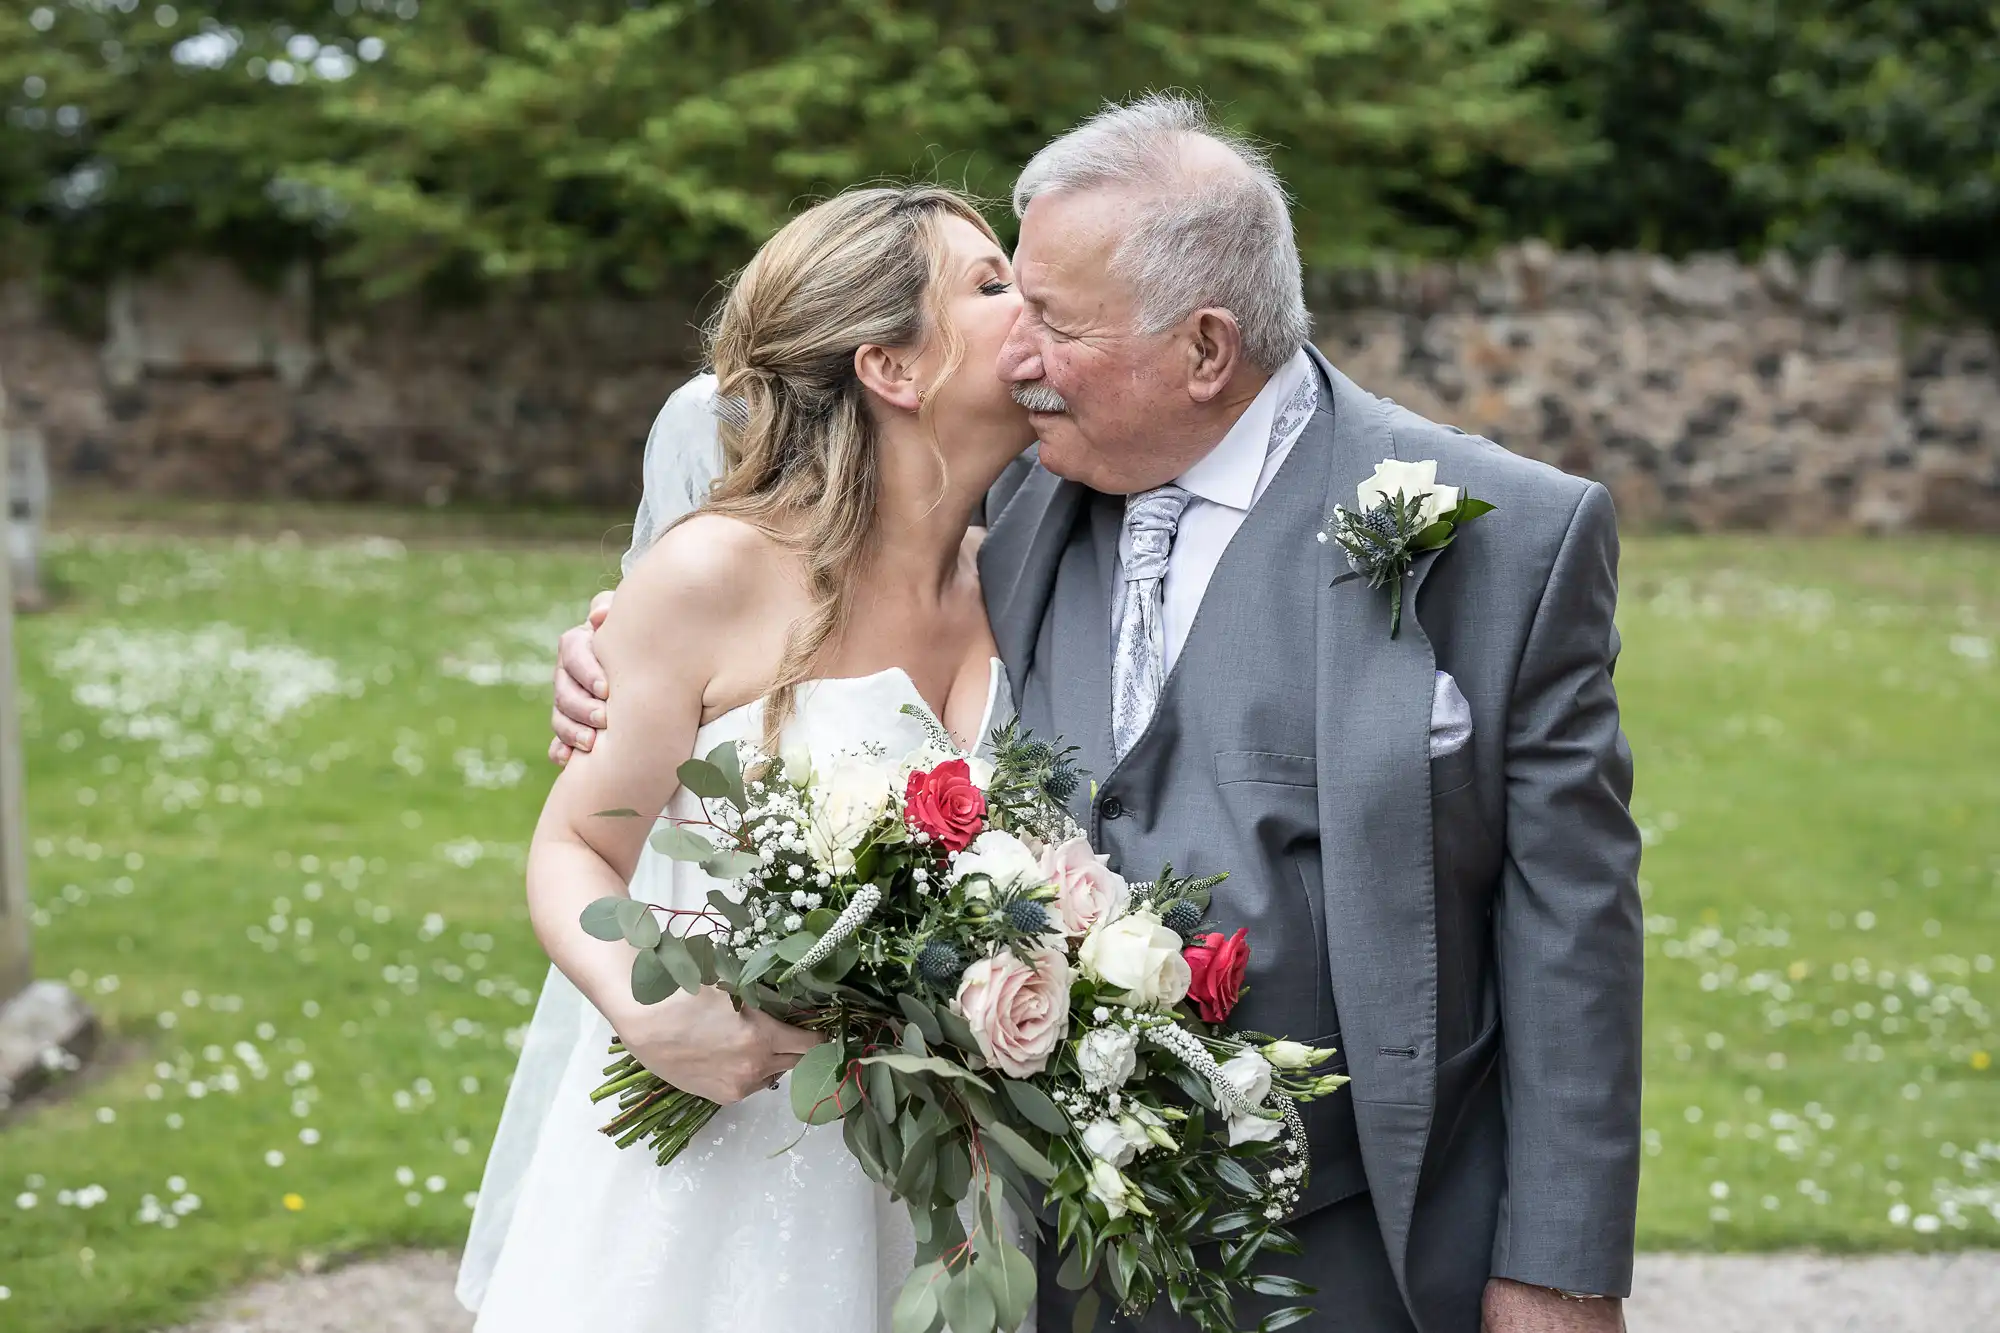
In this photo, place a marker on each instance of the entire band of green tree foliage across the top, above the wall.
(641, 147)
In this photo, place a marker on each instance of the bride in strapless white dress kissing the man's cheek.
(825, 583)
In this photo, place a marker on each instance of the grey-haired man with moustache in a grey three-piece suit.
(1427, 832)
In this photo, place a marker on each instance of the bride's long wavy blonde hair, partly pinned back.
(801, 463)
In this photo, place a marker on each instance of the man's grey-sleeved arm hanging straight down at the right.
(1569, 940)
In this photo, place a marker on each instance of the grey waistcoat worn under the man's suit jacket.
(1225, 778)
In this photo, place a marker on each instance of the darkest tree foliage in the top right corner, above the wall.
(1737, 125)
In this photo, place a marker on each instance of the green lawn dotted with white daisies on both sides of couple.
(281, 792)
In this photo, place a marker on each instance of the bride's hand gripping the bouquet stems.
(703, 1046)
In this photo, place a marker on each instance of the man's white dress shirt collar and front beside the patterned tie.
(1221, 487)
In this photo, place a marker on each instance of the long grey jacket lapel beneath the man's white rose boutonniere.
(1377, 838)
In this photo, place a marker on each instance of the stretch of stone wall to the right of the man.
(1707, 395)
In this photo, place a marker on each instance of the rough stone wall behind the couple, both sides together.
(1705, 393)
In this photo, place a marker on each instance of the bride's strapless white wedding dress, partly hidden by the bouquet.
(761, 1226)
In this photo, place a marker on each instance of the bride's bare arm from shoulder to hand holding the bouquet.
(661, 649)
